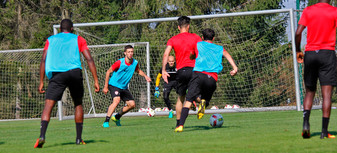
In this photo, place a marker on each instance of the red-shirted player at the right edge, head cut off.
(319, 59)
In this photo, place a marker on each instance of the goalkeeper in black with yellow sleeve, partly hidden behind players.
(172, 83)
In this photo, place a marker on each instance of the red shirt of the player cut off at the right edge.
(321, 20)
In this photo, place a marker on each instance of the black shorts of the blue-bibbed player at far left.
(72, 79)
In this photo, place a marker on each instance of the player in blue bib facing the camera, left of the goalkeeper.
(122, 70)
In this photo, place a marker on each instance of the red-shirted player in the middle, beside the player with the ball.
(183, 44)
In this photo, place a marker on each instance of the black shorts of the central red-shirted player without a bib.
(184, 76)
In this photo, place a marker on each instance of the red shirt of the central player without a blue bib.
(184, 44)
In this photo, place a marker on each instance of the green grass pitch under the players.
(242, 132)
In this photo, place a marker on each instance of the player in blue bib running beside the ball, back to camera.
(208, 64)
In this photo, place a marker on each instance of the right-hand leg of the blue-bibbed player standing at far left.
(75, 84)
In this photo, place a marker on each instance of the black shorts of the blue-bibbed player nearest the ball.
(201, 85)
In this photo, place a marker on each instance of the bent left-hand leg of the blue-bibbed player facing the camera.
(115, 96)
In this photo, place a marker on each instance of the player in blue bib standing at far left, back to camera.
(62, 65)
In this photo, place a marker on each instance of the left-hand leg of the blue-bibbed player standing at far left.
(54, 93)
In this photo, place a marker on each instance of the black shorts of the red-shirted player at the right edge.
(319, 64)
